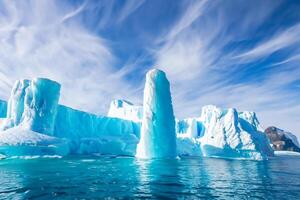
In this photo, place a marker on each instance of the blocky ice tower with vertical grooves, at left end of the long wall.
(33, 105)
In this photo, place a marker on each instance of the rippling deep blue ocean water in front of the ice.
(130, 178)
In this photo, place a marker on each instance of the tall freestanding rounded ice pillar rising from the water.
(158, 137)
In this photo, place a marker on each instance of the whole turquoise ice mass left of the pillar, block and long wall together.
(37, 124)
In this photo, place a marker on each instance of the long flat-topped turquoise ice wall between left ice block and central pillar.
(89, 133)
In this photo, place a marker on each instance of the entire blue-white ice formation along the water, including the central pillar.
(33, 123)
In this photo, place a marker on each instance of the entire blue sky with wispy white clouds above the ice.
(241, 54)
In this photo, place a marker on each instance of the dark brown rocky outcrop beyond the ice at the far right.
(281, 140)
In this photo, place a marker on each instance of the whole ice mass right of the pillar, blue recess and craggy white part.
(224, 133)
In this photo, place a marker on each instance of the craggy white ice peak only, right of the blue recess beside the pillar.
(232, 135)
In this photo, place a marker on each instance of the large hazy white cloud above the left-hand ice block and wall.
(54, 45)
